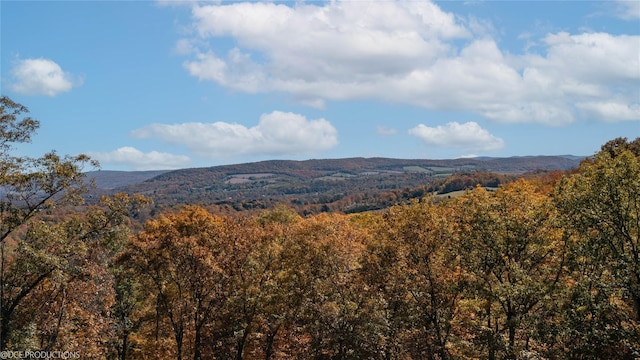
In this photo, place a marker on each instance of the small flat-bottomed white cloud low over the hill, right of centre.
(468, 136)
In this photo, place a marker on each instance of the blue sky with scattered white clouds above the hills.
(150, 85)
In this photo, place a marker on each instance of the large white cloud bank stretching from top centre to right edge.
(413, 53)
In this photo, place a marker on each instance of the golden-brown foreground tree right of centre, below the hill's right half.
(414, 268)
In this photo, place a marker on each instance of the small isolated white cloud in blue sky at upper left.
(41, 77)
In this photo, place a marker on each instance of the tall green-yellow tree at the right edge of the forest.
(601, 204)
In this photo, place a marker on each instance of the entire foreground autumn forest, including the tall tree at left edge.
(545, 267)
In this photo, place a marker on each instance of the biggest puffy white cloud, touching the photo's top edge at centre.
(314, 51)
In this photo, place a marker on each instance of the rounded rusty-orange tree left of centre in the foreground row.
(184, 259)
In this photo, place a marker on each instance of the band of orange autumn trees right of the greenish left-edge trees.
(526, 271)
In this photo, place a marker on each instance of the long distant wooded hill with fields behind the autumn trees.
(350, 184)
